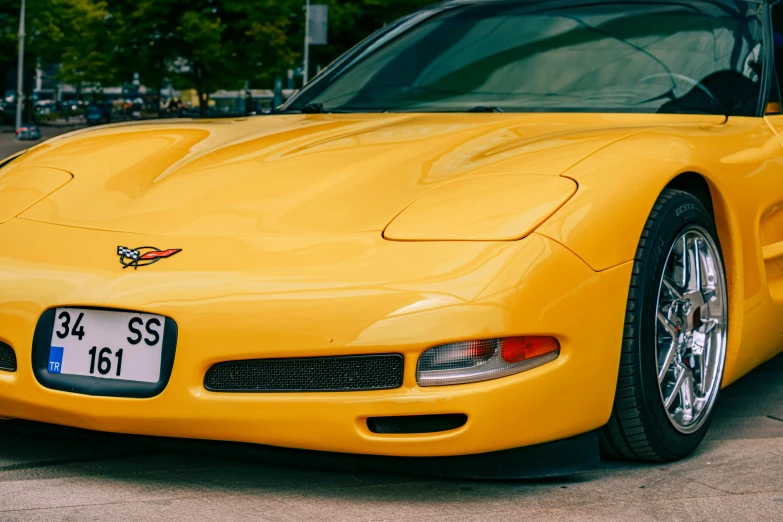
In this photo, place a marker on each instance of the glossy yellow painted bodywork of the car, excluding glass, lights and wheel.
(281, 223)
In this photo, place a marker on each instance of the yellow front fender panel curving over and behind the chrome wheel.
(741, 161)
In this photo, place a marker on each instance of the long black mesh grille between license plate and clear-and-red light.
(349, 373)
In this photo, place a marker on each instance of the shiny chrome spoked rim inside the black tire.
(691, 329)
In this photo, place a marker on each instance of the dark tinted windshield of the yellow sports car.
(674, 57)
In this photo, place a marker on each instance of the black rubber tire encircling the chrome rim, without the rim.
(639, 427)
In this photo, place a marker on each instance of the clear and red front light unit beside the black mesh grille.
(474, 361)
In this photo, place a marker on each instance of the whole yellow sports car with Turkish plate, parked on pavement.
(496, 233)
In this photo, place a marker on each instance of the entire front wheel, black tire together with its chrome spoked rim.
(674, 345)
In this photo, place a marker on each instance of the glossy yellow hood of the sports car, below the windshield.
(284, 175)
